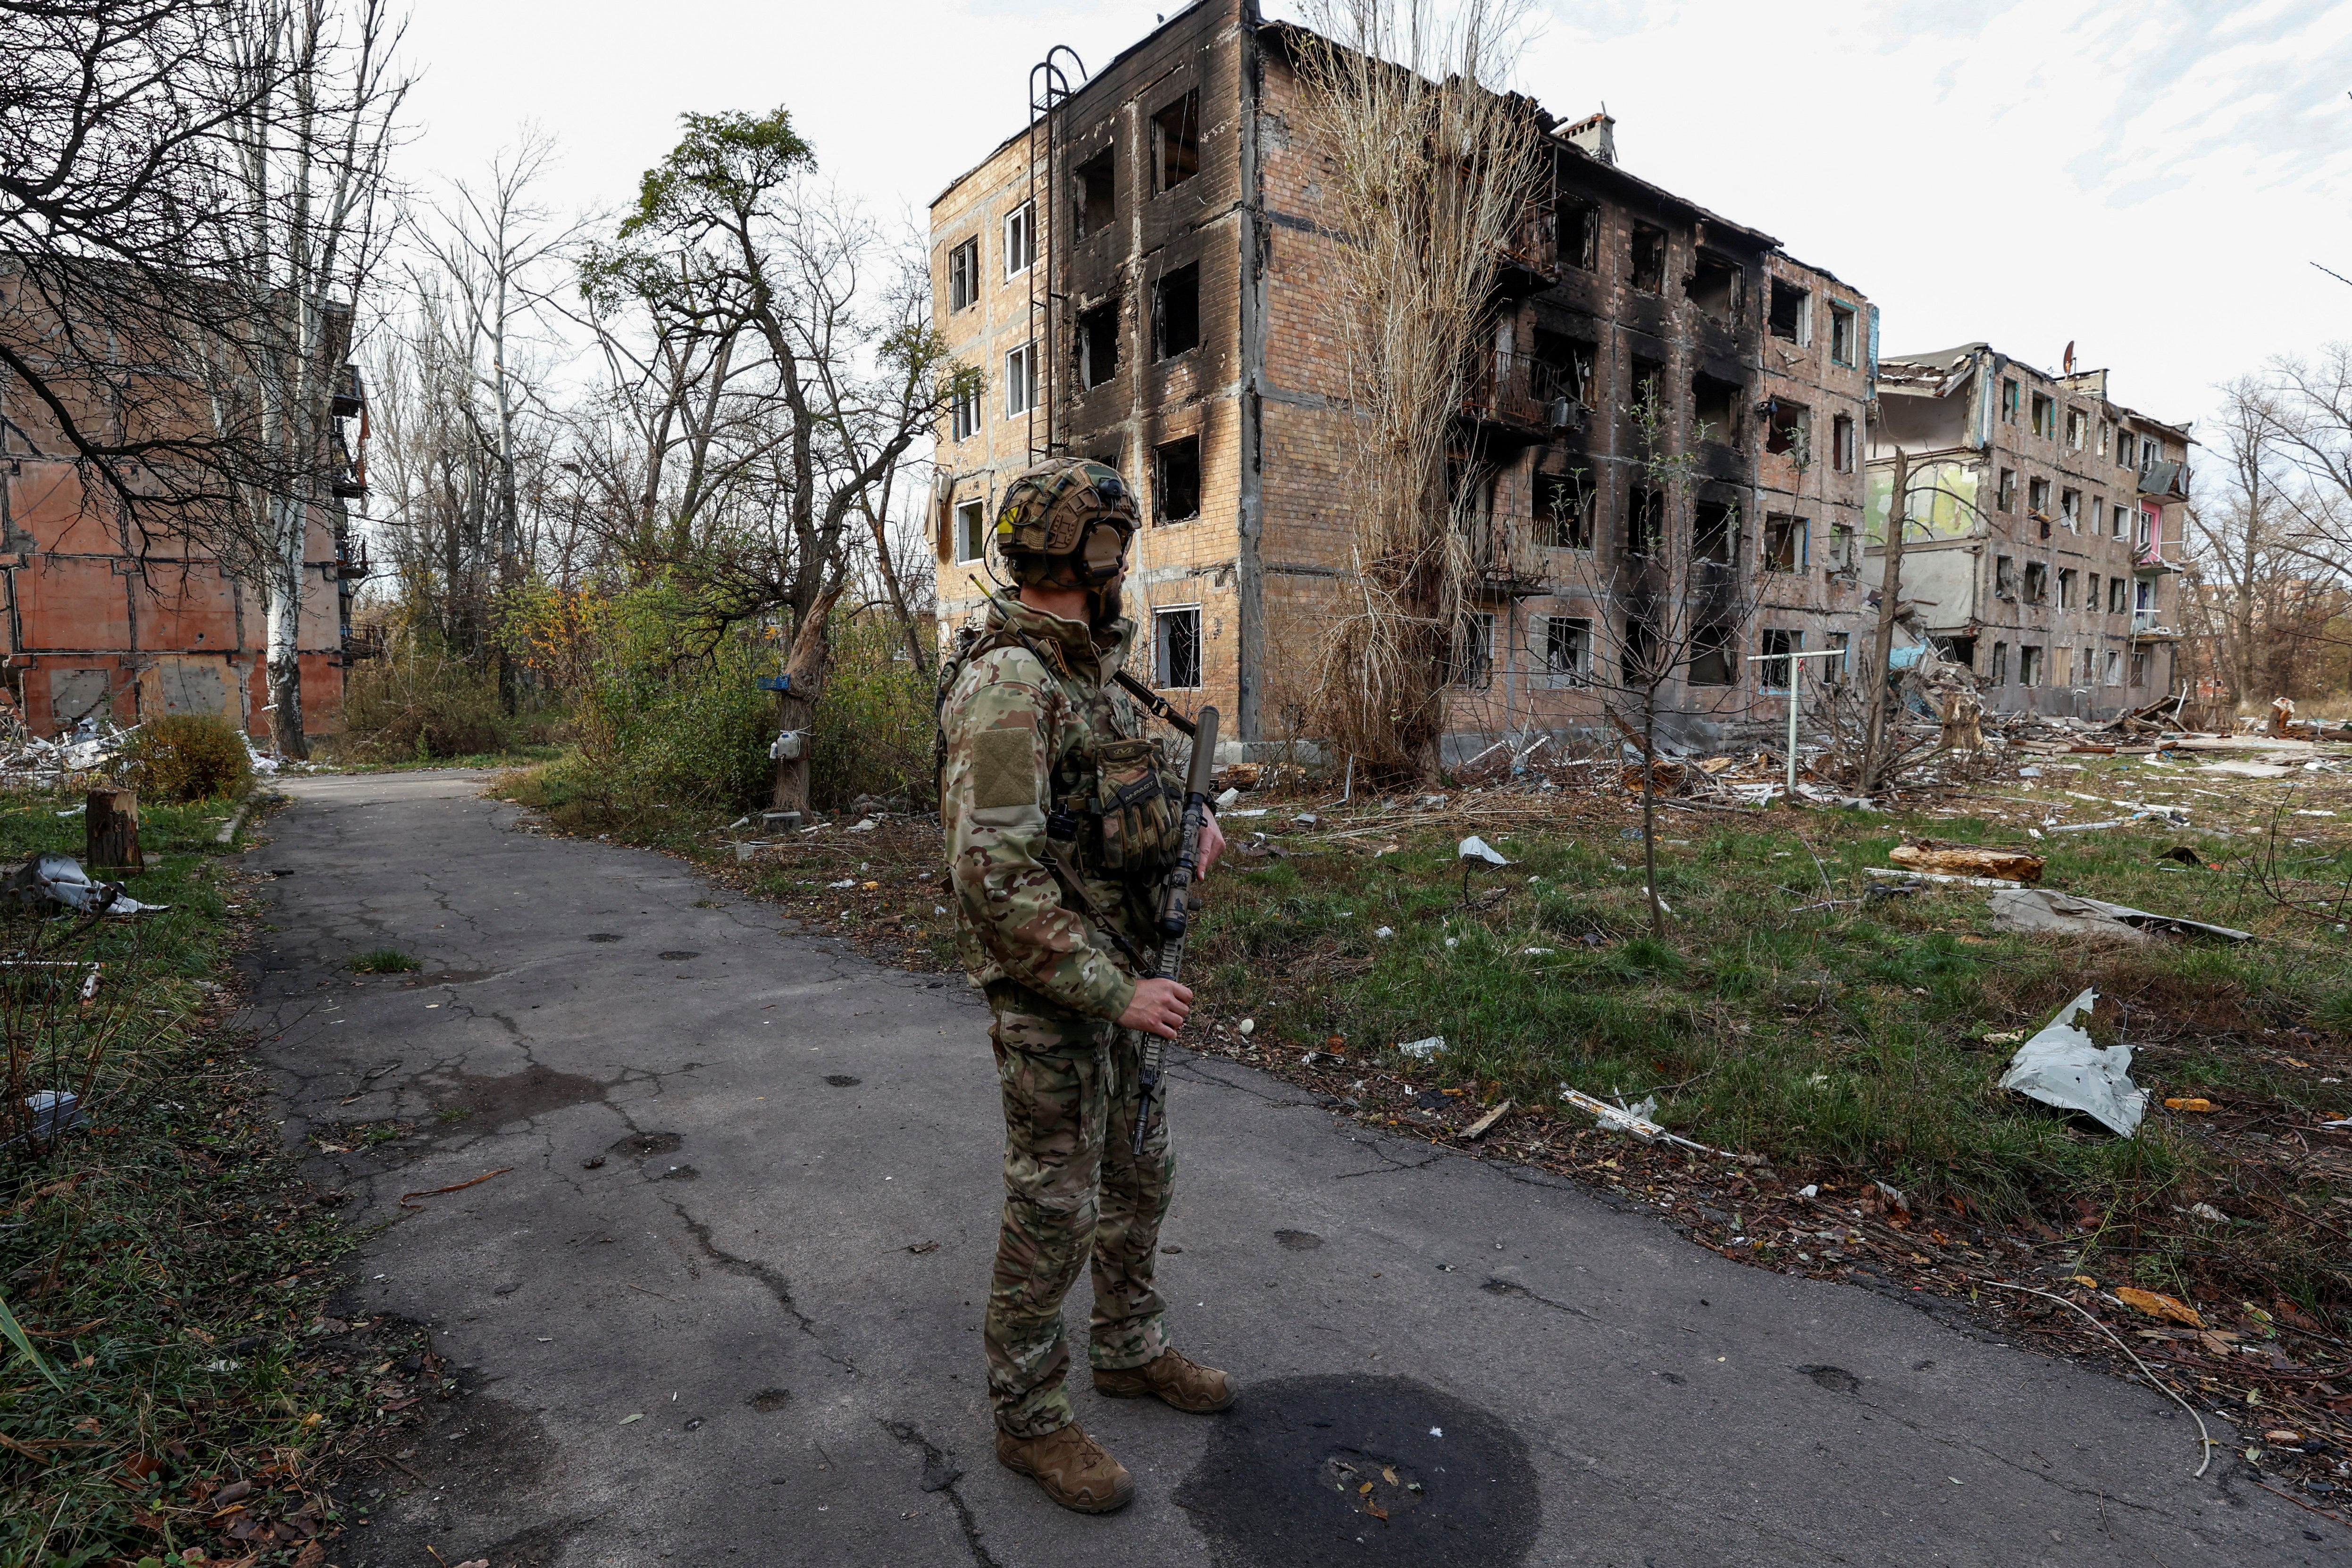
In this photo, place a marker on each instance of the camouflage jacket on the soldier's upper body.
(1017, 737)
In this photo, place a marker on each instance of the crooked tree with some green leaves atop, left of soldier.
(777, 366)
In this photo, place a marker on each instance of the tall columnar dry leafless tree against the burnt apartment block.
(1431, 173)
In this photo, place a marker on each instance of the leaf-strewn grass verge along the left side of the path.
(168, 1261)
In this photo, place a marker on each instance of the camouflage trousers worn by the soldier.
(1074, 1191)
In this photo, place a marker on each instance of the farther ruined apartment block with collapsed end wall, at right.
(2045, 528)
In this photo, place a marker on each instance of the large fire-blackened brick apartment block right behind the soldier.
(1147, 279)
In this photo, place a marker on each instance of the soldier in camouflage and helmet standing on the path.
(1062, 819)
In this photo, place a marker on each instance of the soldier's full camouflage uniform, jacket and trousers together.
(1024, 737)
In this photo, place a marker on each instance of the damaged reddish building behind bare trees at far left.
(114, 622)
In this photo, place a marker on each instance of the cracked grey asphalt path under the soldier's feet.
(751, 1193)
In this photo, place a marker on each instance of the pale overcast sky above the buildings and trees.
(2151, 180)
